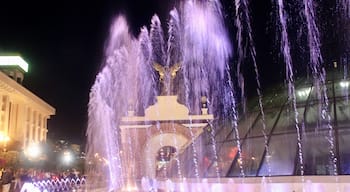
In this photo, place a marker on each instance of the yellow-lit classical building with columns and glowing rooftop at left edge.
(23, 115)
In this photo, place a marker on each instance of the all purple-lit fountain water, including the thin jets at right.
(197, 47)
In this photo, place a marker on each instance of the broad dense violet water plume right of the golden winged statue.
(206, 53)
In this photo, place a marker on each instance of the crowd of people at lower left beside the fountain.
(13, 180)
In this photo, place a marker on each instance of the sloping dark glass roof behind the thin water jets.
(324, 137)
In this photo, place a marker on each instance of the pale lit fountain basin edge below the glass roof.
(260, 184)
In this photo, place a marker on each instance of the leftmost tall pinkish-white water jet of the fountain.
(103, 132)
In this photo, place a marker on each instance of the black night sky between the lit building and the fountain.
(63, 43)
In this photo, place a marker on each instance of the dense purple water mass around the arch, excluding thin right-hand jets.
(198, 42)
